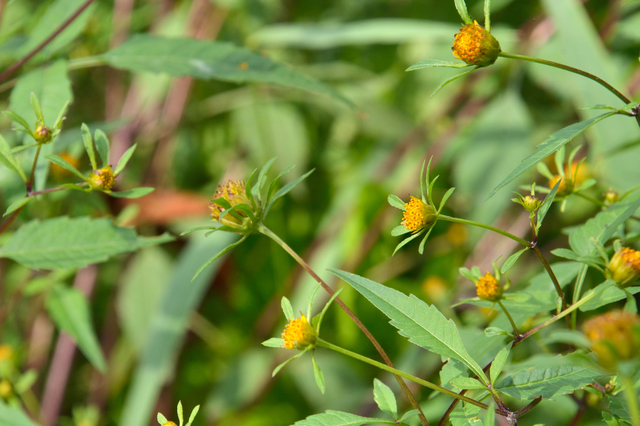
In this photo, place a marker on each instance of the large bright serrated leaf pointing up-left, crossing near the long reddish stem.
(423, 324)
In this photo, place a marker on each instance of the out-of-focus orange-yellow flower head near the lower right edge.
(613, 336)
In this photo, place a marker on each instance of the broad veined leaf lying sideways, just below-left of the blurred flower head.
(548, 381)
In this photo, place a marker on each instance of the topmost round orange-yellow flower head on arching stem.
(476, 46)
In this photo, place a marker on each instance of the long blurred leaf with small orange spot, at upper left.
(208, 60)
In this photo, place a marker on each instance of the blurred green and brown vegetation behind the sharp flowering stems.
(166, 338)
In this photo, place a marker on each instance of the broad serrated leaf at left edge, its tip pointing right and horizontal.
(62, 243)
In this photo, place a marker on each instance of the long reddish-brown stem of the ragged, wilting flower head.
(266, 231)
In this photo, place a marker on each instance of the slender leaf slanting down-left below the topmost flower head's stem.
(553, 143)
